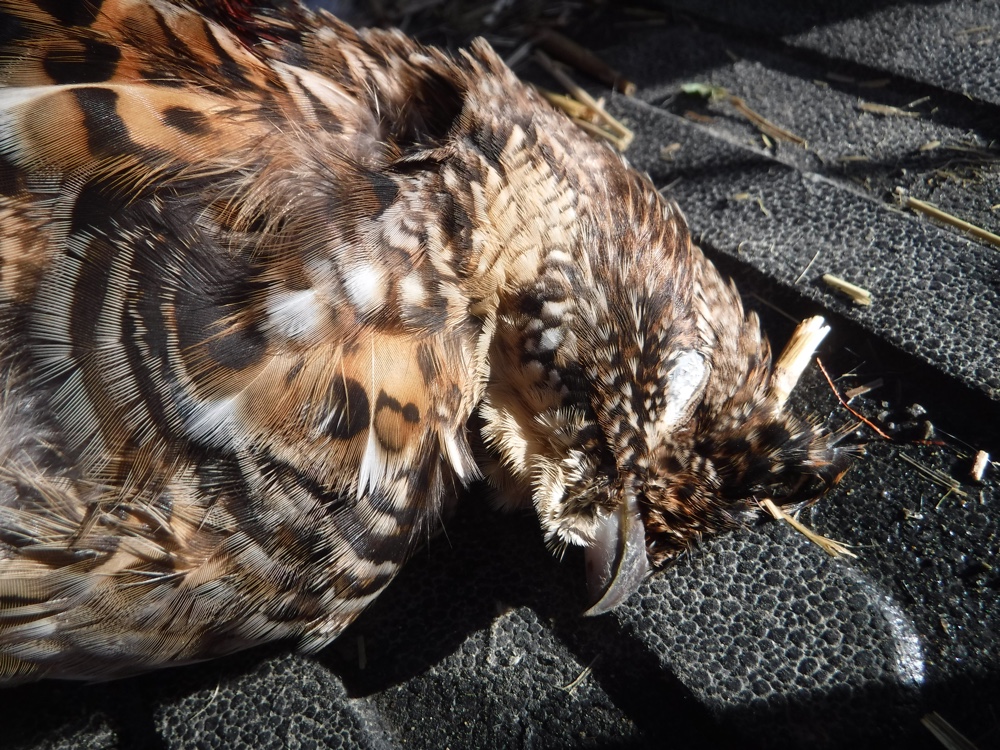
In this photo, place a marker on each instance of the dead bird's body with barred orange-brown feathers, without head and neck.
(237, 374)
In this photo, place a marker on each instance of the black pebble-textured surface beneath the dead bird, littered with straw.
(758, 639)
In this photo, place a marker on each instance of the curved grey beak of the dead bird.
(617, 561)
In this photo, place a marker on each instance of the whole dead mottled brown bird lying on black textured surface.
(258, 271)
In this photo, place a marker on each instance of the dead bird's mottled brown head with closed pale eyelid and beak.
(635, 402)
